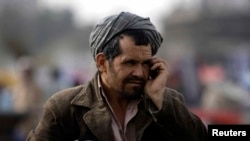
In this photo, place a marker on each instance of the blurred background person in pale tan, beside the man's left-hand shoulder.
(26, 91)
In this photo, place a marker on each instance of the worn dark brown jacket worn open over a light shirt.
(80, 113)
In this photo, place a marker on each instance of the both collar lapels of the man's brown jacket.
(98, 118)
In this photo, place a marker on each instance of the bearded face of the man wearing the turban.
(128, 72)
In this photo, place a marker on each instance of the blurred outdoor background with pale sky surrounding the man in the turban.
(44, 48)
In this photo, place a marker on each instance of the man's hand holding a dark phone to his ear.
(155, 87)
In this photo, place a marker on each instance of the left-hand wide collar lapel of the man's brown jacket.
(97, 118)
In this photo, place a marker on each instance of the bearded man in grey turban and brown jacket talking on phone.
(127, 99)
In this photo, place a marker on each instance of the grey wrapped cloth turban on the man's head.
(111, 26)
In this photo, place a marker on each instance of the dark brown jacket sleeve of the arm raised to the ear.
(176, 118)
